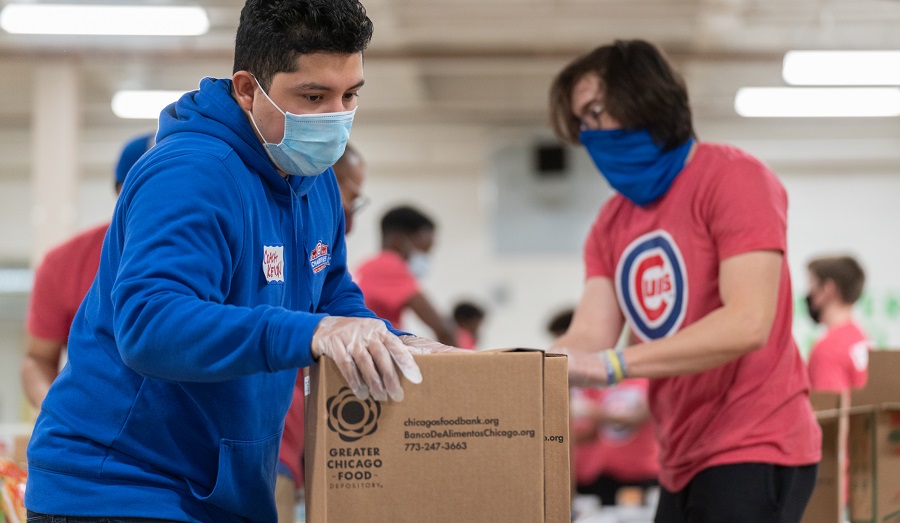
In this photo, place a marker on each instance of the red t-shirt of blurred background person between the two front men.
(387, 285)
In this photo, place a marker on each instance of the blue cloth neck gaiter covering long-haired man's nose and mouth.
(633, 163)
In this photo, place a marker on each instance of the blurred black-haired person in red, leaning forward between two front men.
(389, 280)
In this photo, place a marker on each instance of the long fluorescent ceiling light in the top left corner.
(74, 19)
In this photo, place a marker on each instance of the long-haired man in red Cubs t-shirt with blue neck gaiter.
(692, 254)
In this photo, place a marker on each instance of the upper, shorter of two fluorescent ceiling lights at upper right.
(842, 68)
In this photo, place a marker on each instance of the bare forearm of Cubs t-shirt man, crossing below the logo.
(720, 337)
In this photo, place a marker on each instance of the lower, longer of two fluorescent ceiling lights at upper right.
(817, 101)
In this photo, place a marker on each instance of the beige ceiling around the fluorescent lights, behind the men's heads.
(484, 62)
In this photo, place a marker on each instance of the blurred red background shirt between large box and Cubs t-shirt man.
(626, 454)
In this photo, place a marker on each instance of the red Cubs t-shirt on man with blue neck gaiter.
(664, 260)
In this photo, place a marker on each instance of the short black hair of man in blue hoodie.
(273, 33)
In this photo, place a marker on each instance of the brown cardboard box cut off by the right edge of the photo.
(874, 443)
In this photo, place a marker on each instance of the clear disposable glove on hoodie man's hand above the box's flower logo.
(365, 351)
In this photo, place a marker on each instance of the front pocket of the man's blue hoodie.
(245, 482)
